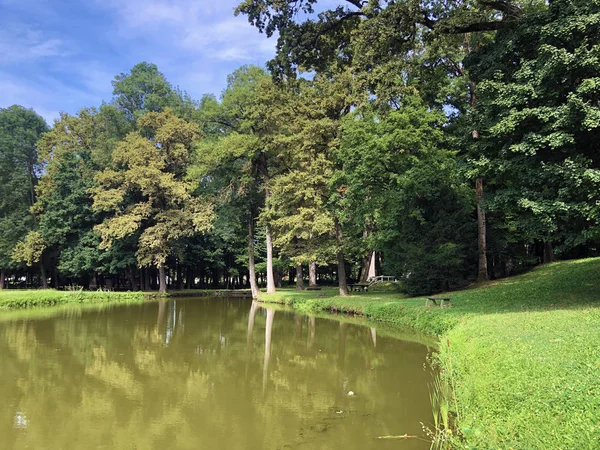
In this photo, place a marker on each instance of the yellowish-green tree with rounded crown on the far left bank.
(145, 191)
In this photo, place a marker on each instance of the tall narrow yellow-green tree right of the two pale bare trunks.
(306, 222)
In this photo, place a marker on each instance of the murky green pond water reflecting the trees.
(206, 374)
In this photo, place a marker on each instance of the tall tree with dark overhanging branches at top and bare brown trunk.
(391, 46)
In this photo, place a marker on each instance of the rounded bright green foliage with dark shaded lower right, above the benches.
(404, 183)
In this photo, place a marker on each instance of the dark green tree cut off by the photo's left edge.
(20, 129)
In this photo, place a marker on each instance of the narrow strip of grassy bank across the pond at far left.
(12, 299)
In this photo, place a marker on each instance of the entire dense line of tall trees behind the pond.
(455, 140)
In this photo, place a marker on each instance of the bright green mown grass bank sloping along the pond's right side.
(524, 352)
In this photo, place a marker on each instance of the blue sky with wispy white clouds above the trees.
(61, 55)
